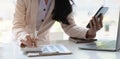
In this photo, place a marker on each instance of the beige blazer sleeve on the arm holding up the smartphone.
(73, 30)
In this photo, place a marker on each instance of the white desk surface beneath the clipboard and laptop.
(11, 51)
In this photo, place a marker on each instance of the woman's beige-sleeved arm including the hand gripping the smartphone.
(79, 32)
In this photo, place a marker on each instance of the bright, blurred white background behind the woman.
(83, 11)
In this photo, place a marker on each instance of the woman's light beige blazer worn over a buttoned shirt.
(25, 22)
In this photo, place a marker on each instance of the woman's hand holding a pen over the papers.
(29, 41)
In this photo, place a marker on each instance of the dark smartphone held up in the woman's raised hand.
(102, 10)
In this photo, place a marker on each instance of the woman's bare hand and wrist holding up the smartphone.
(95, 25)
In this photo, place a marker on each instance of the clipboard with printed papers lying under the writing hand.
(46, 50)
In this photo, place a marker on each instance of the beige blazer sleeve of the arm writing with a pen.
(19, 22)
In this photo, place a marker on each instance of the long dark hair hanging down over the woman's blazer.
(61, 10)
